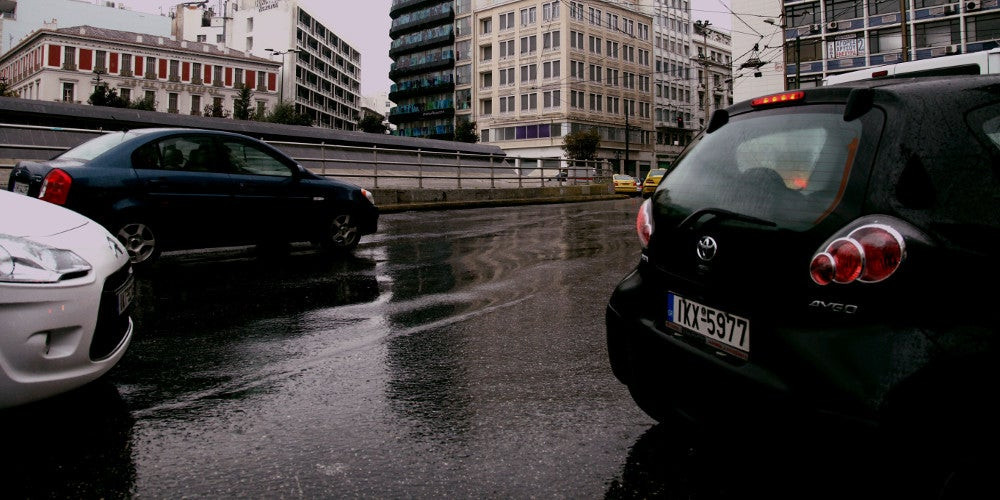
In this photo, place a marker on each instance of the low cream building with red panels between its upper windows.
(177, 76)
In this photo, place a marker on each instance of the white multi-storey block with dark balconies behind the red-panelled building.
(320, 71)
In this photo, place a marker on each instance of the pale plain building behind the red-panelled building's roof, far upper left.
(20, 18)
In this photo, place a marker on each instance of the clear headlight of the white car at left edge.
(24, 261)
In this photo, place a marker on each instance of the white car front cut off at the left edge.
(66, 288)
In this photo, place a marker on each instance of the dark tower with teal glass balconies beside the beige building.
(424, 55)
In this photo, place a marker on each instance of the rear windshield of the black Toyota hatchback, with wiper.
(784, 166)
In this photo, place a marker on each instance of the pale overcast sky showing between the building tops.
(365, 25)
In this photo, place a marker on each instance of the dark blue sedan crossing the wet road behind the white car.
(160, 189)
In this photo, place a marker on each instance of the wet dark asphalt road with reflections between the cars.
(458, 353)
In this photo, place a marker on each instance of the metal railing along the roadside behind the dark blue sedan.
(370, 166)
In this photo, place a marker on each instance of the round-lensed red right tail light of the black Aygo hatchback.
(869, 254)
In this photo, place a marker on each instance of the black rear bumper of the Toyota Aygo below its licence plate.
(839, 373)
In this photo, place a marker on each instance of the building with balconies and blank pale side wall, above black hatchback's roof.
(824, 37)
